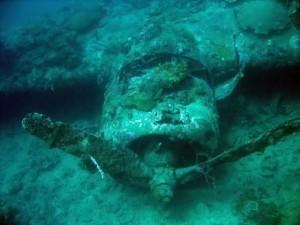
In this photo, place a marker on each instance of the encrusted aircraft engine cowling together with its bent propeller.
(159, 127)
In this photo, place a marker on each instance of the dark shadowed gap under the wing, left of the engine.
(78, 102)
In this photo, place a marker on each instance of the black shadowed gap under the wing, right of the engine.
(269, 93)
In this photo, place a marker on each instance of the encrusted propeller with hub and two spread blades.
(125, 165)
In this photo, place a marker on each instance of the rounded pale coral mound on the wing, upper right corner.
(262, 17)
